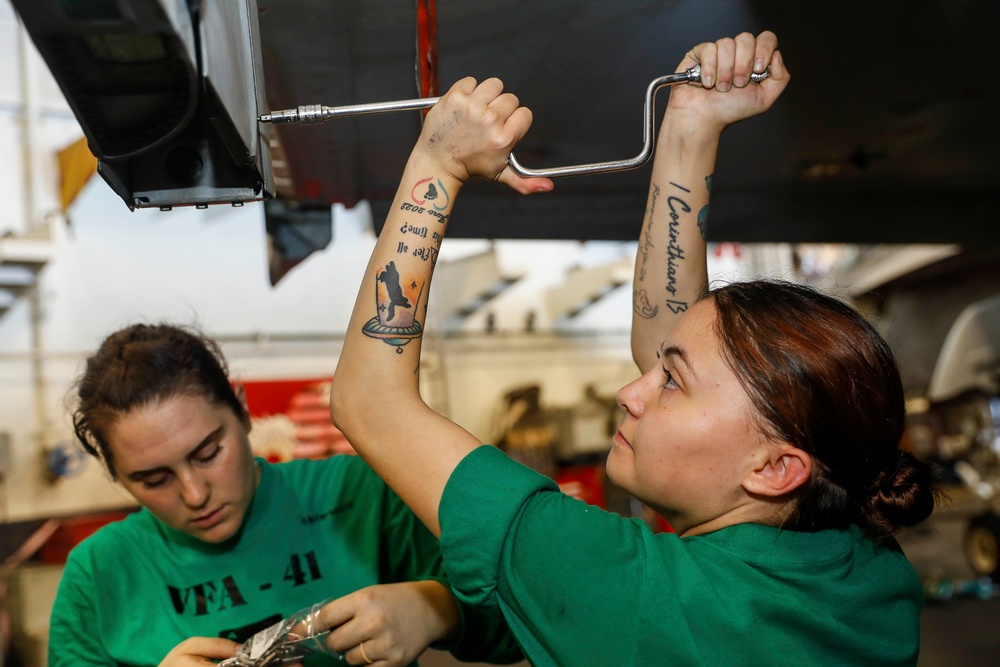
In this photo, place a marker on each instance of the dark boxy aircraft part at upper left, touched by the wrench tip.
(166, 92)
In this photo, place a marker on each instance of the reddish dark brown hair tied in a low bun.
(823, 379)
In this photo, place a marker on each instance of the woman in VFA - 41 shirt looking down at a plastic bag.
(224, 545)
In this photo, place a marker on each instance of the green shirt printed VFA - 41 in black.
(315, 530)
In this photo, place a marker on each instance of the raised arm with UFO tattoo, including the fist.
(375, 397)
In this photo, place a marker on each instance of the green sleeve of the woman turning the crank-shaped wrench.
(551, 563)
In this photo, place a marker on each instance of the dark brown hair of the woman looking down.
(142, 365)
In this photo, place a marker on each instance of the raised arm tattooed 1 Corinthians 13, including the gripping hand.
(670, 266)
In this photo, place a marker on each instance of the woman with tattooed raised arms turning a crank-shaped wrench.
(765, 428)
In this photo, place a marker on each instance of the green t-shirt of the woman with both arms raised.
(581, 586)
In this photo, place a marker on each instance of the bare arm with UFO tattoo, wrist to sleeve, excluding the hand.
(375, 397)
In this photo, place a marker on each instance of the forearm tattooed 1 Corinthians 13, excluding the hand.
(670, 266)
